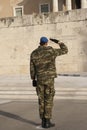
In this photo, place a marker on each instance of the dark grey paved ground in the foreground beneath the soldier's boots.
(67, 114)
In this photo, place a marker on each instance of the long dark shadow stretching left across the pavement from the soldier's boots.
(16, 117)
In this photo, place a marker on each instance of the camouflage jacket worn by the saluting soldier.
(42, 61)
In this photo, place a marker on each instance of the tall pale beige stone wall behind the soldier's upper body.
(20, 36)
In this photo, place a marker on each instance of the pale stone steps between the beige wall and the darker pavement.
(72, 86)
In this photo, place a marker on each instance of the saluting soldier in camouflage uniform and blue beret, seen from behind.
(42, 69)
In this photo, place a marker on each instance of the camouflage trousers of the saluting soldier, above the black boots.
(45, 91)
